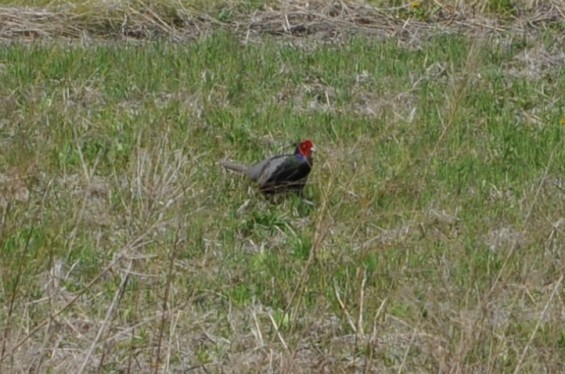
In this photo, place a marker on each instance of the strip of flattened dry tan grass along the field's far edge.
(325, 20)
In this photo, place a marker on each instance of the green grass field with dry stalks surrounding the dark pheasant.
(432, 238)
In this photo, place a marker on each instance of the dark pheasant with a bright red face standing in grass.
(282, 173)
